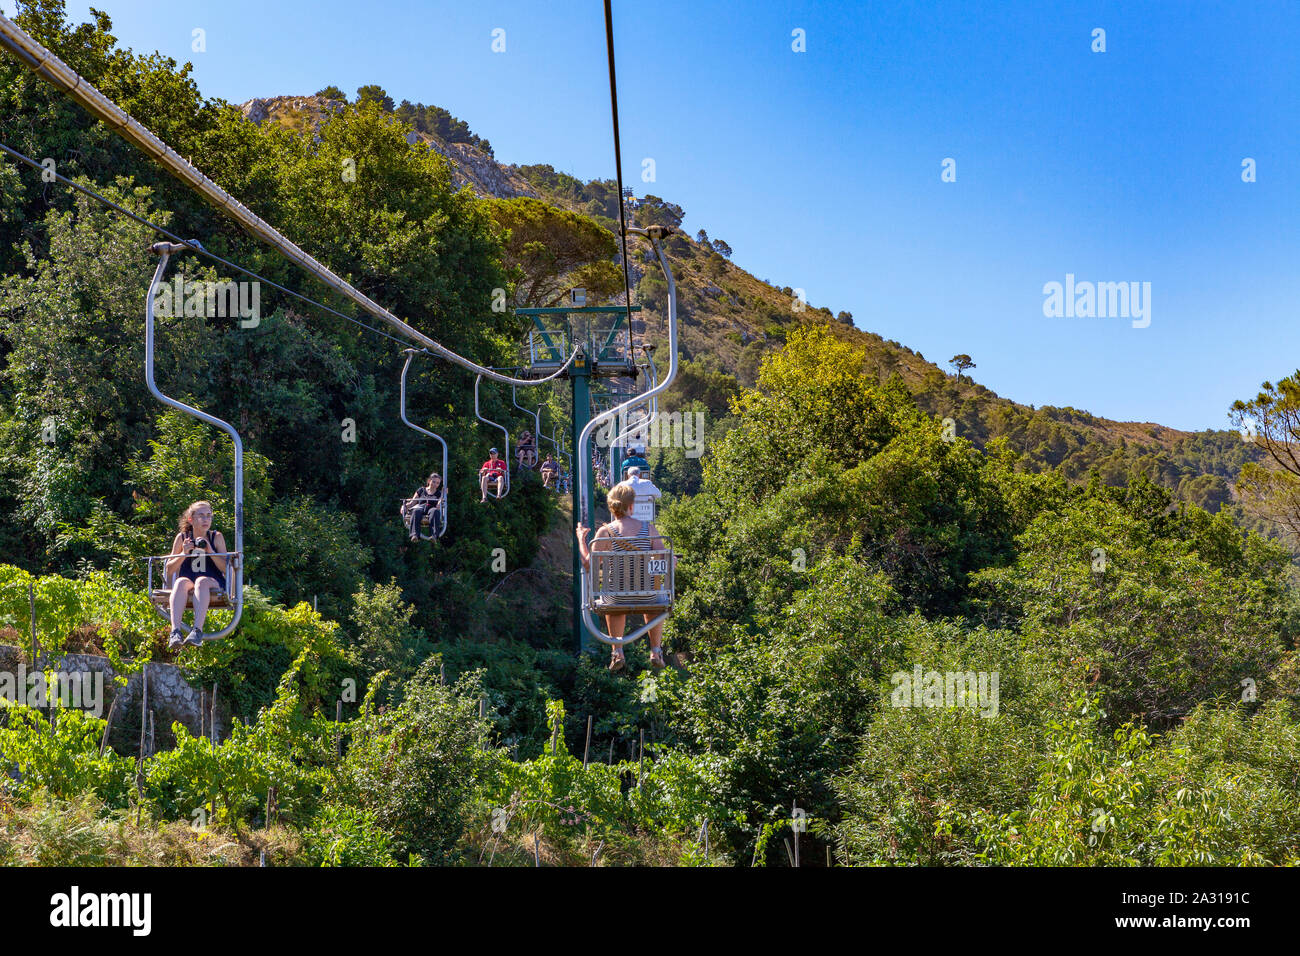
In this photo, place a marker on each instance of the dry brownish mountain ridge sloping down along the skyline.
(734, 319)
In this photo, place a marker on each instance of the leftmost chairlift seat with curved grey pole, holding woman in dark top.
(232, 598)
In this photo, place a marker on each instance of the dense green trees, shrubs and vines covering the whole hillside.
(916, 624)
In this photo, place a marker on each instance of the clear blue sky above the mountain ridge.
(822, 168)
